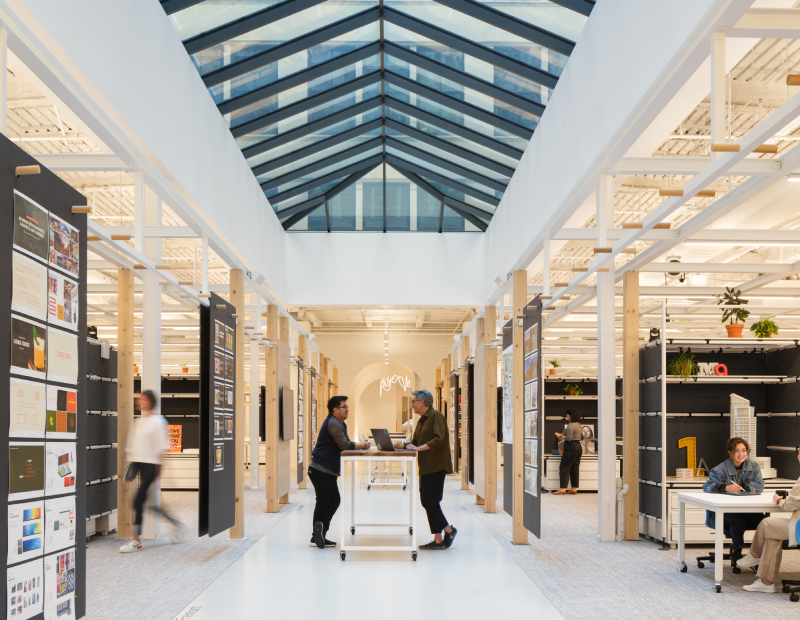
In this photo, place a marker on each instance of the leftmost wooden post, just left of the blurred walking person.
(124, 396)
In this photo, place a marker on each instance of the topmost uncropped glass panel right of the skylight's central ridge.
(466, 63)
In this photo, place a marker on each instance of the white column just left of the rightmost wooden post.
(606, 384)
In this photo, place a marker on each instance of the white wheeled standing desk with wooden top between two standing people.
(408, 459)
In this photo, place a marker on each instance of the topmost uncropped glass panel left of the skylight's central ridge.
(290, 65)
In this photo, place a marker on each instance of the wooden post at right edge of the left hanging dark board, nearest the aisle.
(237, 301)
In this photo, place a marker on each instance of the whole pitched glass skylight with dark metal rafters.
(381, 115)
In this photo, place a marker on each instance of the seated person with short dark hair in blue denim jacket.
(733, 475)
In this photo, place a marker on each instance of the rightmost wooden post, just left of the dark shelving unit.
(630, 400)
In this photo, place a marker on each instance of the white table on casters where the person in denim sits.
(719, 503)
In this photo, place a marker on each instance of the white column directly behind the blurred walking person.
(151, 330)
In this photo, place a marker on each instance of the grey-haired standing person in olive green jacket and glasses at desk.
(431, 440)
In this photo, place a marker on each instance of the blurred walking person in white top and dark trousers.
(146, 446)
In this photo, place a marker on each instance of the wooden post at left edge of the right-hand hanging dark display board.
(519, 533)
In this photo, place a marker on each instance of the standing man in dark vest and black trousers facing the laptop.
(325, 467)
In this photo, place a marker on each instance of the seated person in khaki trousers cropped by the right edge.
(766, 550)
